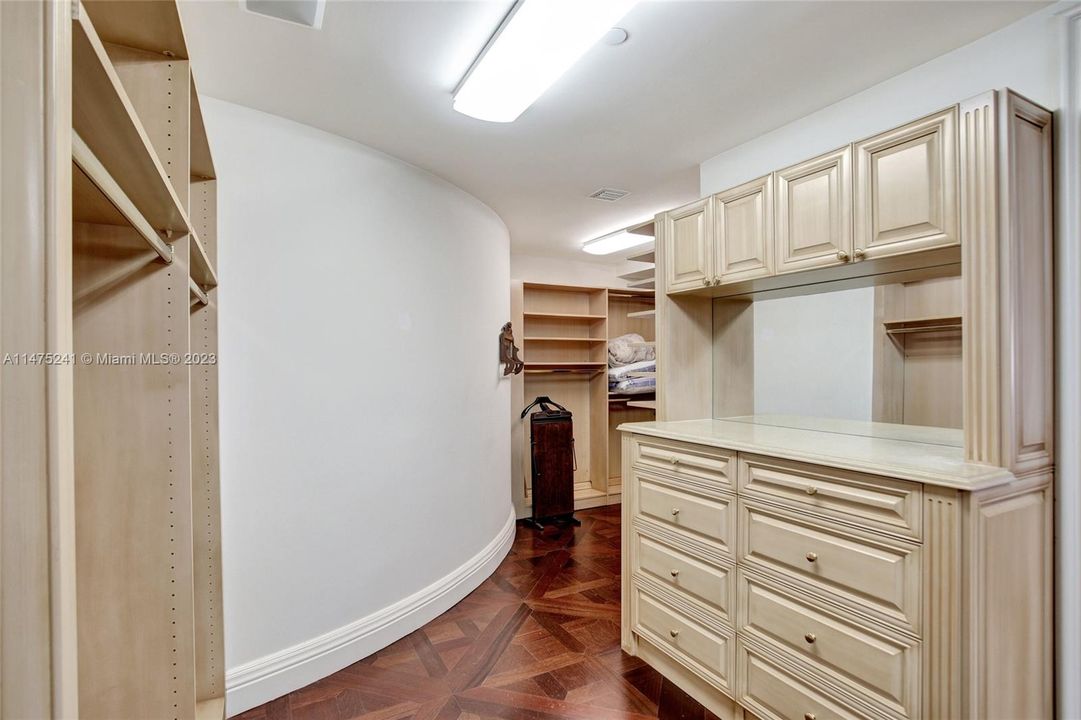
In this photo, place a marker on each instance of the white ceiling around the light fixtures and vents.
(693, 81)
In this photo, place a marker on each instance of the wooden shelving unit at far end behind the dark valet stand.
(565, 331)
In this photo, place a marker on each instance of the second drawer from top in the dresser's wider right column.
(873, 575)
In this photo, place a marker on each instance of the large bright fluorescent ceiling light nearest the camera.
(537, 44)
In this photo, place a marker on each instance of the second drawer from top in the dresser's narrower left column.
(712, 518)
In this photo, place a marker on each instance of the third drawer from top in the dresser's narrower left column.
(703, 582)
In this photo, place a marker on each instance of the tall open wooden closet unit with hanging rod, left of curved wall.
(146, 432)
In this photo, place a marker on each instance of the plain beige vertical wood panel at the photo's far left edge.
(38, 674)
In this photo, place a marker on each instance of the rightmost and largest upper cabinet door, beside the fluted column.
(906, 189)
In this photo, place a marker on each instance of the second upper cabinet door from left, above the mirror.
(743, 232)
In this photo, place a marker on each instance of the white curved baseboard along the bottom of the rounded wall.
(295, 668)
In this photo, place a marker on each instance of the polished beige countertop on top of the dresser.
(910, 452)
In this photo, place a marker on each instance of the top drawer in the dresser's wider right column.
(864, 500)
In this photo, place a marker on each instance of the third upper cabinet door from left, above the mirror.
(815, 212)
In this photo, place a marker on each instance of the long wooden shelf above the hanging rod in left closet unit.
(105, 119)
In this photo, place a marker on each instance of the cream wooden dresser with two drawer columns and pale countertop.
(793, 568)
